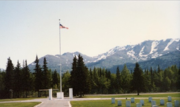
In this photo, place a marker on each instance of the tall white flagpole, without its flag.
(60, 57)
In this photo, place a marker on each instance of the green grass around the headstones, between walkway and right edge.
(107, 103)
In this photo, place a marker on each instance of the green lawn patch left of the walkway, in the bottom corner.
(24, 104)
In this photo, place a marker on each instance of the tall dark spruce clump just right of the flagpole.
(80, 77)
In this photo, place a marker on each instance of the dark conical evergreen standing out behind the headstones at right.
(138, 79)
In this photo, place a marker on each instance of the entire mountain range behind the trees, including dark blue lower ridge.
(148, 53)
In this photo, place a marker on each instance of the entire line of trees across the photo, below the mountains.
(23, 83)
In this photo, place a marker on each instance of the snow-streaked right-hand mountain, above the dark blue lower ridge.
(135, 53)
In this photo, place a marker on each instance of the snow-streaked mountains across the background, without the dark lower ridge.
(143, 51)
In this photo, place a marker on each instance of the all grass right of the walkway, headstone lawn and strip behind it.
(107, 103)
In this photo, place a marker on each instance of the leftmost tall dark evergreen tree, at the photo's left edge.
(9, 76)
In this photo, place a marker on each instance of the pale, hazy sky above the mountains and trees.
(30, 28)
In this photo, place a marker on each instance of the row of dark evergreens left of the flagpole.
(18, 81)
